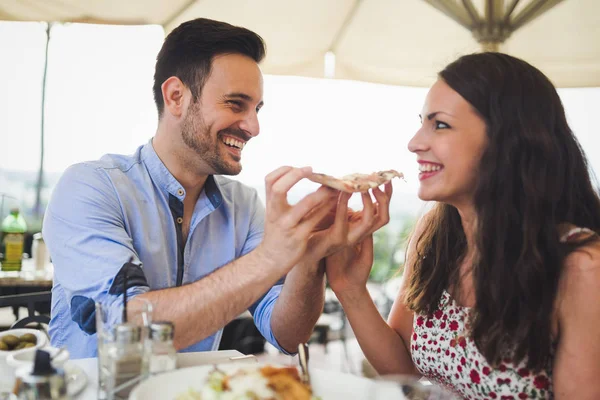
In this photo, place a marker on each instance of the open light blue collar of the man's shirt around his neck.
(167, 182)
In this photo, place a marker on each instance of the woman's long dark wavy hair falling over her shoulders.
(532, 177)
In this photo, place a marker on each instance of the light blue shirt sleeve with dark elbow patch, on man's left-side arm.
(90, 247)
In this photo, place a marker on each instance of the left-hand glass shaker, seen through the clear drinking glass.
(127, 361)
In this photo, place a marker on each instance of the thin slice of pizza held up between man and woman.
(356, 182)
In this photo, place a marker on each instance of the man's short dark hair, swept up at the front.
(188, 51)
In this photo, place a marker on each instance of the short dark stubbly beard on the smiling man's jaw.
(196, 135)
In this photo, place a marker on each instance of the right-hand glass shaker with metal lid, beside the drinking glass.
(163, 356)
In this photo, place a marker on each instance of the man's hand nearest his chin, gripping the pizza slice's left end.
(289, 228)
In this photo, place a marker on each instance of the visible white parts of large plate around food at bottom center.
(326, 384)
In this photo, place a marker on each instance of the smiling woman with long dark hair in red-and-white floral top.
(501, 285)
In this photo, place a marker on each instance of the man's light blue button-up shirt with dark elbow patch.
(121, 215)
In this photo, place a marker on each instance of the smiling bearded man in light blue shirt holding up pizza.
(167, 225)
